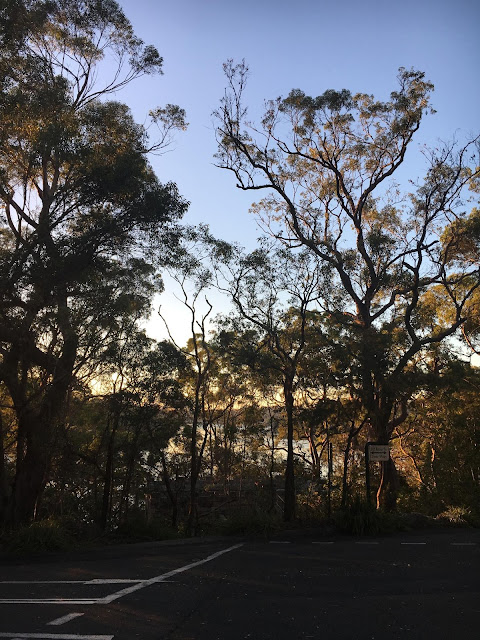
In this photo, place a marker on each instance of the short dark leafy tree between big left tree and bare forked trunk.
(144, 410)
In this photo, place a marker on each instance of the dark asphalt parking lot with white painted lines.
(415, 586)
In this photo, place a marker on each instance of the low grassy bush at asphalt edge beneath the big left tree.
(38, 537)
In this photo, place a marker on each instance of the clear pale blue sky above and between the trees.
(312, 45)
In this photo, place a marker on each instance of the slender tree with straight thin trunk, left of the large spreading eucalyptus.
(273, 293)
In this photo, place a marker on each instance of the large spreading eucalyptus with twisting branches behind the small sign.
(327, 165)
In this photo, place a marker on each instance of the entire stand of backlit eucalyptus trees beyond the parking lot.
(352, 320)
